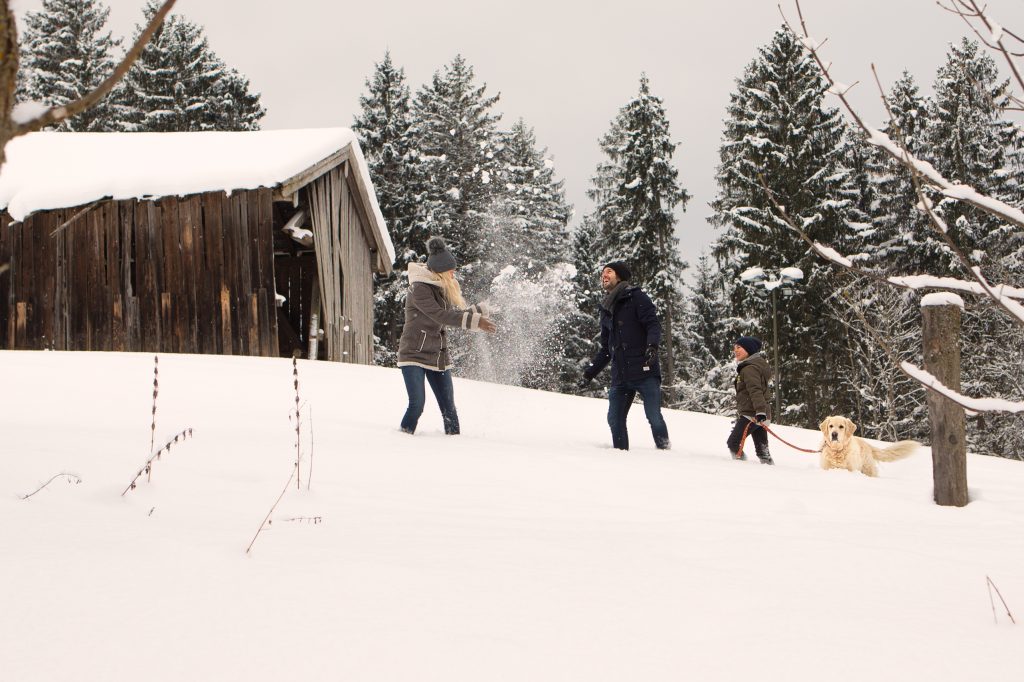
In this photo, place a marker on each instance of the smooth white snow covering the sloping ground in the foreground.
(525, 549)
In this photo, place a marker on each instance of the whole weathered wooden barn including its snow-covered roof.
(235, 243)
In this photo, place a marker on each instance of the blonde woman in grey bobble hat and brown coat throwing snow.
(435, 301)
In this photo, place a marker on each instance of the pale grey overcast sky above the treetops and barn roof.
(566, 68)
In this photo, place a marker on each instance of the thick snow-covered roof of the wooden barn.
(50, 170)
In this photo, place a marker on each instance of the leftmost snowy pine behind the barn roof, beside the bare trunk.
(66, 54)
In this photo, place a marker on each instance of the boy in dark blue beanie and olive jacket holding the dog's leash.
(753, 375)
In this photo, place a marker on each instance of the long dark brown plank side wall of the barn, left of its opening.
(180, 275)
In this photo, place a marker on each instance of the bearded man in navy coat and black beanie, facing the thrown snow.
(630, 336)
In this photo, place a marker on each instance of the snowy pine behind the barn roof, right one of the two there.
(180, 84)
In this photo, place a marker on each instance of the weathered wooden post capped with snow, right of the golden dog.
(942, 324)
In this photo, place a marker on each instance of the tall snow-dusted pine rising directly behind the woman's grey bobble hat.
(457, 148)
